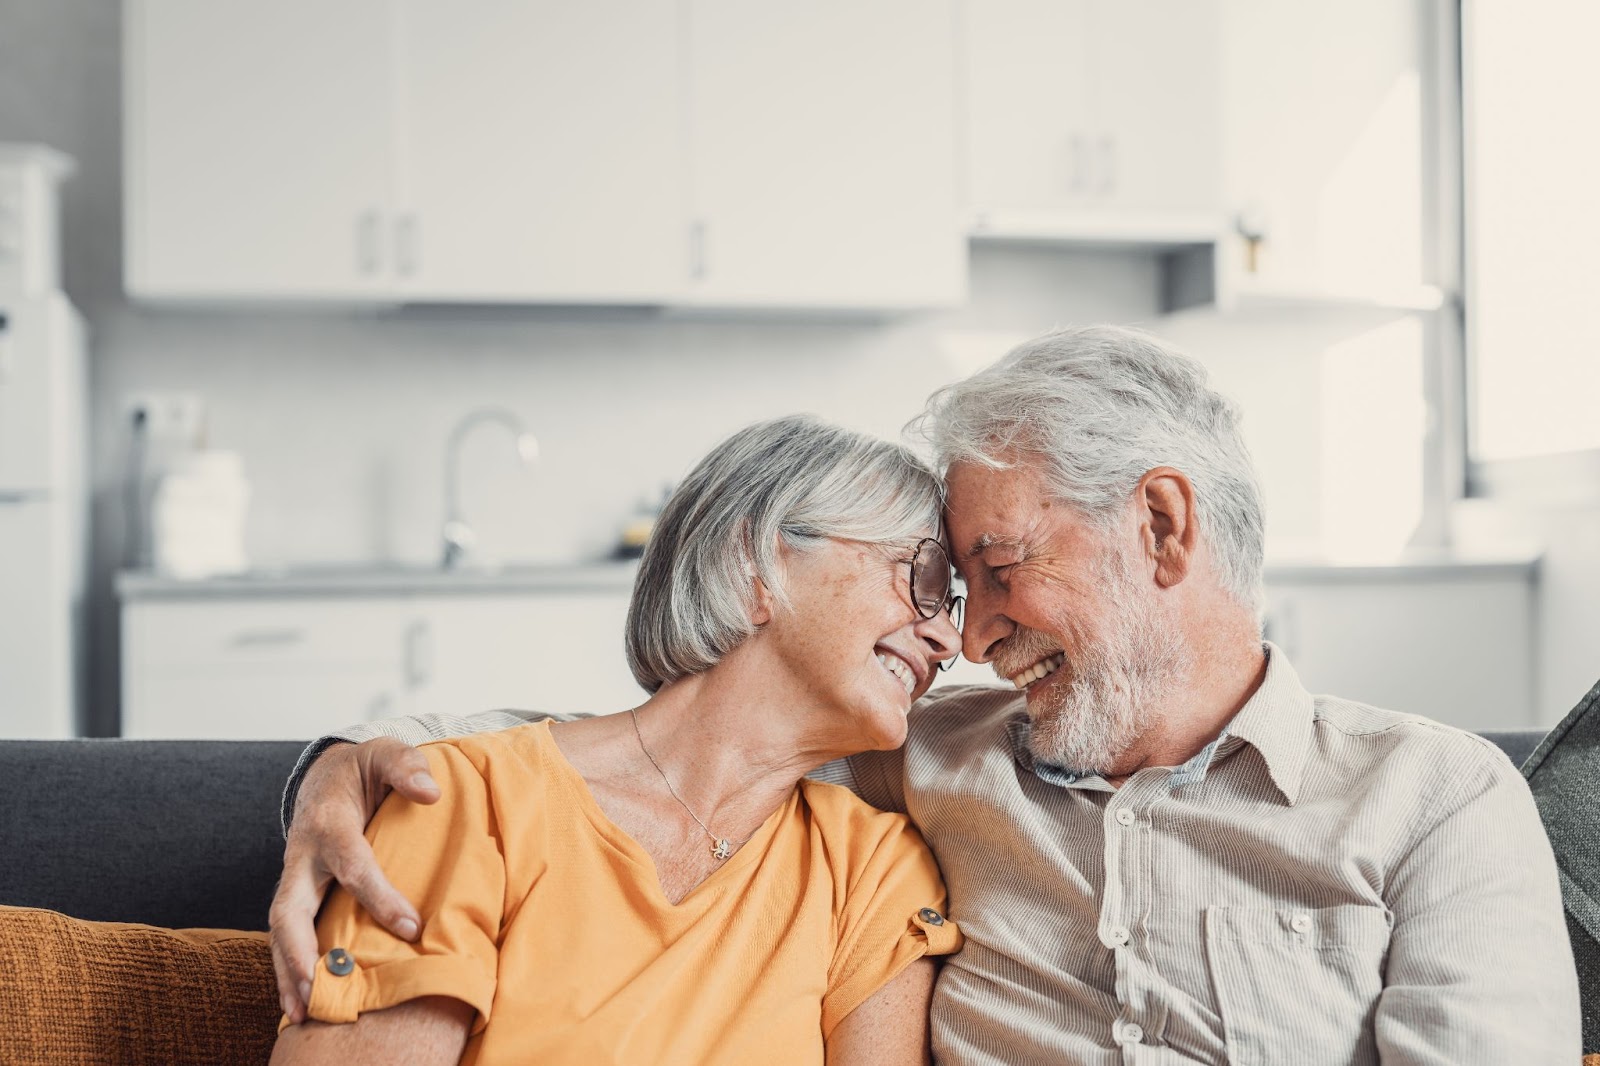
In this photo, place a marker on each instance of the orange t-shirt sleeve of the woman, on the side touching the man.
(892, 915)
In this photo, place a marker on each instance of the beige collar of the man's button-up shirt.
(1276, 721)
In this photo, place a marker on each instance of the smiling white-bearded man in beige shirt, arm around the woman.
(1161, 848)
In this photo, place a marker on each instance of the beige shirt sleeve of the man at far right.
(1481, 968)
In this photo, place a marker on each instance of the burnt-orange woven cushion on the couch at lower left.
(76, 992)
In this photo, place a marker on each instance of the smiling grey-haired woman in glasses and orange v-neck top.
(665, 884)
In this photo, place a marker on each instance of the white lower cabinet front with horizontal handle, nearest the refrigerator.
(263, 670)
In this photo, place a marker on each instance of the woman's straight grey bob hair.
(793, 481)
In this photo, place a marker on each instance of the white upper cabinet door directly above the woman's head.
(823, 145)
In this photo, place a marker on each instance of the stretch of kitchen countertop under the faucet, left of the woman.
(346, 580)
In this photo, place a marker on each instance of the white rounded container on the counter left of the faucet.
(198, 516)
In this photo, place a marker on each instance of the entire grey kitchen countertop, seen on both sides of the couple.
(358, 580)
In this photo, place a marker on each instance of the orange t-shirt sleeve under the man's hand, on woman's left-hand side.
(447, 859)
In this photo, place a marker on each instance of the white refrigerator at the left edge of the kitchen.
(44, 494)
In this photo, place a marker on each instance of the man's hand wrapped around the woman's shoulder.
(327, 843)
